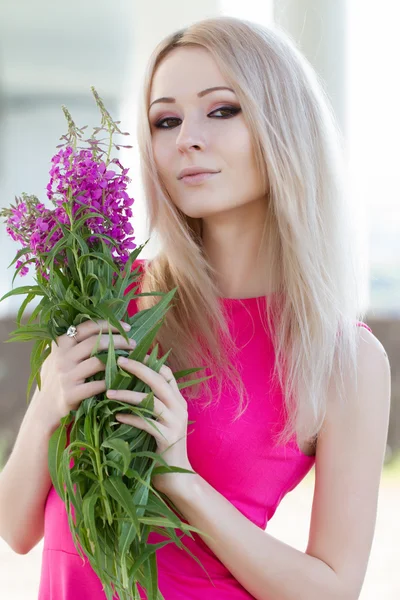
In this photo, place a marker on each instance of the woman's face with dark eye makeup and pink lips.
(207, 131)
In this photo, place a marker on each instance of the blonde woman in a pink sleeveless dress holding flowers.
(267, 299)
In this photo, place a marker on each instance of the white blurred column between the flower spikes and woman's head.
(152, 21)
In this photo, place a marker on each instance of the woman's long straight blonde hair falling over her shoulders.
(298, 150)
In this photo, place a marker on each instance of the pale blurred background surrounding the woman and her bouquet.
(52, 52)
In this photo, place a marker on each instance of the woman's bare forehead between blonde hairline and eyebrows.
(185, 71)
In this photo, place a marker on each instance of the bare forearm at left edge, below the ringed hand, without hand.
(25, 482)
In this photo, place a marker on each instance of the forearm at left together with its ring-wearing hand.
(25, 480)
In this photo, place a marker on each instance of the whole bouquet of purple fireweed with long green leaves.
(83, 252)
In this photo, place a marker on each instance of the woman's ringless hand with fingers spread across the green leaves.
(170, 409)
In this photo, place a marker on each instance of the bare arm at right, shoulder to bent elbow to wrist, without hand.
(349, 461)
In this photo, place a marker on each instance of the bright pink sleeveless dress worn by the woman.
(239, 460)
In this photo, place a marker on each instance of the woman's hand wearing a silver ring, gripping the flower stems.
(68, 365)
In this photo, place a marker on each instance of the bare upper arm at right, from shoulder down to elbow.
(348, 466)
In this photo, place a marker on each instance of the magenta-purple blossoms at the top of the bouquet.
(87, 187)
